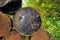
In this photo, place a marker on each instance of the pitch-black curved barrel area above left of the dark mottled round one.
(11, 6)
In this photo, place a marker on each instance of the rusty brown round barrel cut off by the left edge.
(5, 24)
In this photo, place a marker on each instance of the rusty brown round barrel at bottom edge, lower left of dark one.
(13, 35)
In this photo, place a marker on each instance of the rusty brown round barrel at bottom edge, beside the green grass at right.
(41, 35)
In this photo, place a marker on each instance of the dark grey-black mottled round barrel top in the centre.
(27, 21)
